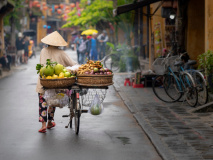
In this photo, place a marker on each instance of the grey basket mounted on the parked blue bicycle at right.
(159, 66)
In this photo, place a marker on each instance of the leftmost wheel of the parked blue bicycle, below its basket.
(159, 89)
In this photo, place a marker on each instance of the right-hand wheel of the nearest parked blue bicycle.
(190, 89)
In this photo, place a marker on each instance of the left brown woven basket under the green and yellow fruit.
(57, 83)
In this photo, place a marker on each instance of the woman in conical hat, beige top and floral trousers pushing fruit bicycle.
(53, 40)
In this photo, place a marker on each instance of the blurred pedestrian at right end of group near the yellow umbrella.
(102, 38)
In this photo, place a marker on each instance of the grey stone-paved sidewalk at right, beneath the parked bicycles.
(176, 133)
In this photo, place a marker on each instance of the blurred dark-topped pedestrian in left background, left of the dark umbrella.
(19, 48)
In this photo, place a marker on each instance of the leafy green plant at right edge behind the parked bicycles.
(206, 63)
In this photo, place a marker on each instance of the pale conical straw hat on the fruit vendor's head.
(54, 39)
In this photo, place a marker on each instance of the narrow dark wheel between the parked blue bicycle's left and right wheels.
(172, 87)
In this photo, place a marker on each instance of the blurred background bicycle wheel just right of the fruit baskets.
(111, 62)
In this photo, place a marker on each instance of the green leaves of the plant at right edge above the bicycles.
(206, 61)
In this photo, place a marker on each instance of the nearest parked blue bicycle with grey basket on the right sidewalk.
(170, 85)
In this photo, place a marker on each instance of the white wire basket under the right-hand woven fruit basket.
(88, 97)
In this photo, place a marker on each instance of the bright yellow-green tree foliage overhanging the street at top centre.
(101, 10)
